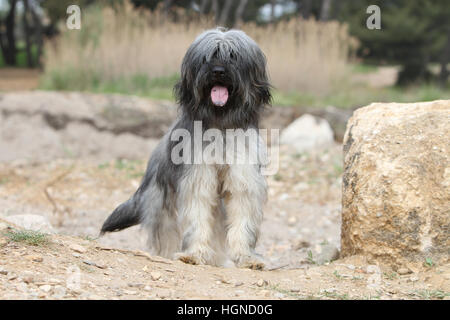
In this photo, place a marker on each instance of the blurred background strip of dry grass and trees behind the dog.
(319, 52)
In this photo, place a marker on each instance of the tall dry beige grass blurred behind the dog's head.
(125, 43)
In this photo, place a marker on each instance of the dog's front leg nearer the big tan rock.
(245, 196)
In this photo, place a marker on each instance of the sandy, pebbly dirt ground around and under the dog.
(76, 192)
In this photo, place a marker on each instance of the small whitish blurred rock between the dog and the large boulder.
(307, 133)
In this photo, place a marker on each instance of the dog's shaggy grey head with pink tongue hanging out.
(223, 74)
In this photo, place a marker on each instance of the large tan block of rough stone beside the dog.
(396, 183)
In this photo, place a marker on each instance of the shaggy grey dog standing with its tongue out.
(208, 211)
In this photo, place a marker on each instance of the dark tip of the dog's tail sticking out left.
(124, 216)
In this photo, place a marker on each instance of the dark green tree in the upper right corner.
(413, 34)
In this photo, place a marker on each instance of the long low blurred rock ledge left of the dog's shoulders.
(109, 126)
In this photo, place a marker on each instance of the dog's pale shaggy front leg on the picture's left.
(197, 199)
